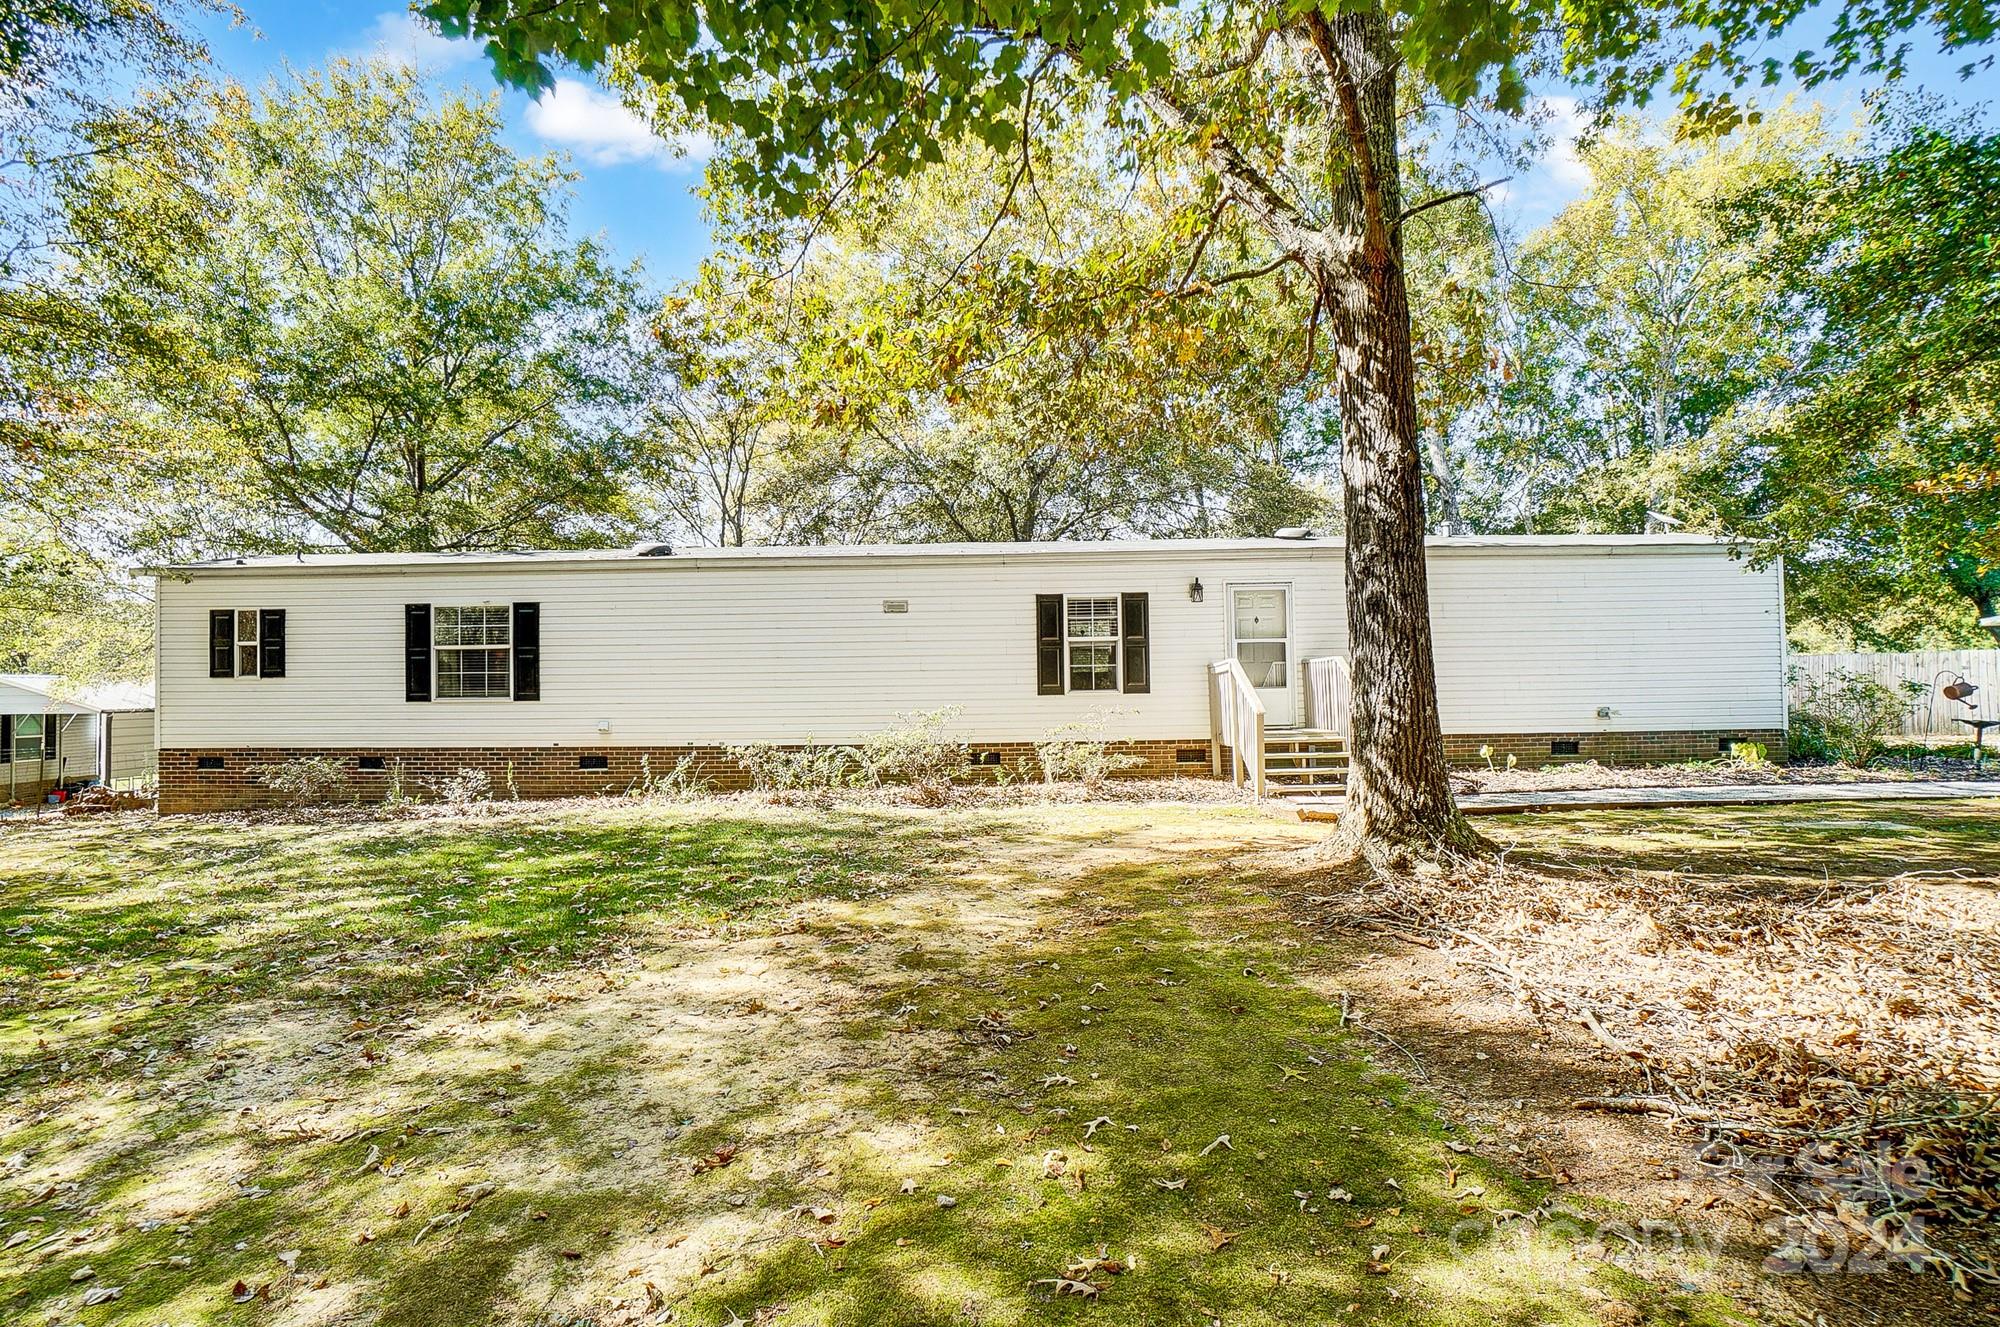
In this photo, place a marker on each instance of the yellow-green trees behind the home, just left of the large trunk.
(953, 365)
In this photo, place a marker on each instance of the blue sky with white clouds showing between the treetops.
(637, 193)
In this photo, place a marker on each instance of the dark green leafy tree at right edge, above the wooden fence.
(1883, 473)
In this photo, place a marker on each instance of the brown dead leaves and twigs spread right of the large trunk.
(1835, 1046)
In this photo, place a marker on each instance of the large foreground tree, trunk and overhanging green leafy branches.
(1291, 115)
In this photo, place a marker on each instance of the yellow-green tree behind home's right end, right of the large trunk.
(1633, 329)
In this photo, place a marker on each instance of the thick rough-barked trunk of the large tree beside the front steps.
(1399, 794)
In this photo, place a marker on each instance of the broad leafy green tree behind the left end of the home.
(363, 325)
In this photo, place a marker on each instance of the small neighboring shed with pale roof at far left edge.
(57, 734)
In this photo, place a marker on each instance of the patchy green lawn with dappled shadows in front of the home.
(713, 1064)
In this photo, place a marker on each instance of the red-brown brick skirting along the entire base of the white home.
(557, 772)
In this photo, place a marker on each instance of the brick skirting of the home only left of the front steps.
(539, 772)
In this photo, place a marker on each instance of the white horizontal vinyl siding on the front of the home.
(677, 651)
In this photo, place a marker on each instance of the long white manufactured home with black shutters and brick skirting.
(561, 670)
